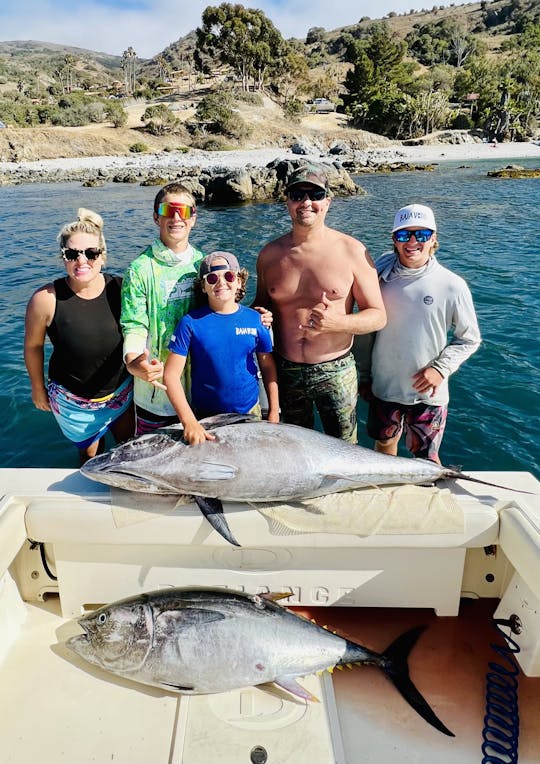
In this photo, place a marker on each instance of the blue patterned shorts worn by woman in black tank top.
(84, 420)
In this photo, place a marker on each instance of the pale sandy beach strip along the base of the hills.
(432, 153)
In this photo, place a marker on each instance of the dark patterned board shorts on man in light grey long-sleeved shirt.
(424, 425)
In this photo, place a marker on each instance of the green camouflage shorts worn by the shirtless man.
(331, 386)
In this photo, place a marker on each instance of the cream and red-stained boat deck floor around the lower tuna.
(57, 708)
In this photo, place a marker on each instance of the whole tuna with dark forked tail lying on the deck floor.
(204, 641)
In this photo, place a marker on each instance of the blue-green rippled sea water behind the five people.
(488, 230)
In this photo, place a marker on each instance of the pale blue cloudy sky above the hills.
(149, 26)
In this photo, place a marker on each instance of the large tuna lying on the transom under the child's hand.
(253, 461)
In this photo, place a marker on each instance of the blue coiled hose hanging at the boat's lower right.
(501, 722)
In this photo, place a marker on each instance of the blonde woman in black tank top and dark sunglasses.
(89, 390)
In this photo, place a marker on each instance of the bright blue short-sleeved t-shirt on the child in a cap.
(221, 347)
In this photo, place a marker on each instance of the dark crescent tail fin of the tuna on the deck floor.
(395, 666)
